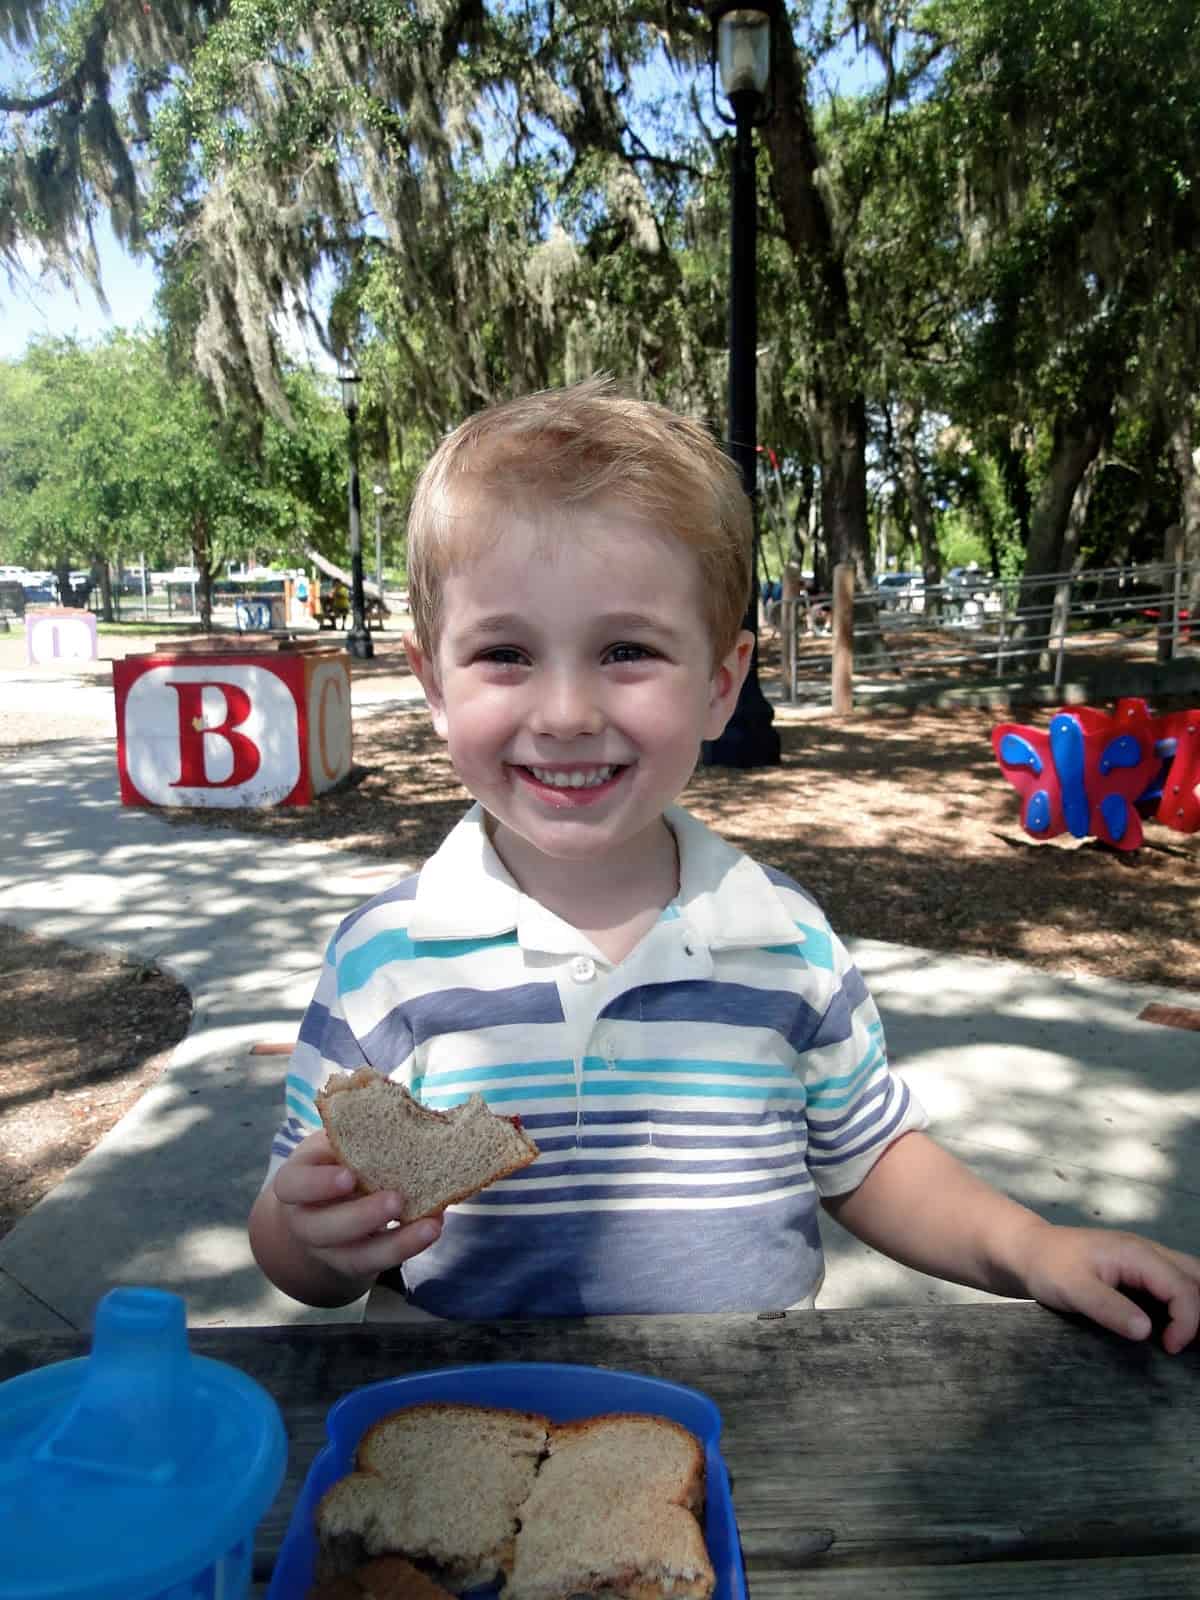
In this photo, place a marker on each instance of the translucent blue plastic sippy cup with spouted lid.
(138, 1473)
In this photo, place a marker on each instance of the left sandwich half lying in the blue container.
(439, 1486)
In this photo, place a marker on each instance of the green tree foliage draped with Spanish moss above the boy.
(991, 218)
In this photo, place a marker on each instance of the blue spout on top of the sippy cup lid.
(129, 1418)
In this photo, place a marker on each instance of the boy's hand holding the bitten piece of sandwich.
(345, 1231)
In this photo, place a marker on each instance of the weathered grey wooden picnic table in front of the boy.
(983, 1450)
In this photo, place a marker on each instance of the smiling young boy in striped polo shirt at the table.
(678, 1026)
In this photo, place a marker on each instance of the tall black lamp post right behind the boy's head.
(742, 50)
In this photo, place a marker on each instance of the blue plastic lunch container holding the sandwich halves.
(566, 1394)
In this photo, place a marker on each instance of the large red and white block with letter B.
(233, 730)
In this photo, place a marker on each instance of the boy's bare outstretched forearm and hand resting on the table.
(927, 1210)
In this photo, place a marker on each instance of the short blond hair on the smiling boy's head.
(574, 449)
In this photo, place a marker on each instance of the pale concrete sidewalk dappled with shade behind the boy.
(1052, 1089)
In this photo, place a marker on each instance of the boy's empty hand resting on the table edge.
(1082, 1270)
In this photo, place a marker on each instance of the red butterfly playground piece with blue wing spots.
(1100, 774)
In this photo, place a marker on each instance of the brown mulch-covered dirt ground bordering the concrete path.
(898, 822)
